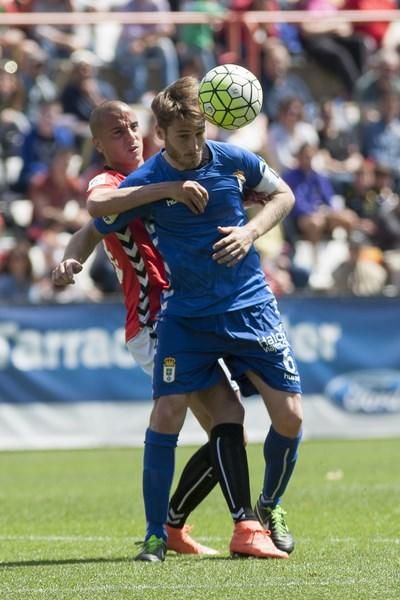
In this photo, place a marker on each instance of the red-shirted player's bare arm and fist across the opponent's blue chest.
(105, 201)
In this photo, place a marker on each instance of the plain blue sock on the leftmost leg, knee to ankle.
(158, 472)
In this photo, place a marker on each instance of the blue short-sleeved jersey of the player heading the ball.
(199, 286)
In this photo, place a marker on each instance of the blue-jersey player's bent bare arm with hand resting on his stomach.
(237, 241)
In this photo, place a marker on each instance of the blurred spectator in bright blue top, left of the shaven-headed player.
(40, 144)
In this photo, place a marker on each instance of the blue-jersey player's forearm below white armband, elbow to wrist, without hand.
(278, 206)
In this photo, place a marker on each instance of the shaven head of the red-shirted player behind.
(120, 140)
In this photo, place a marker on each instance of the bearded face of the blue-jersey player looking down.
(184, 144)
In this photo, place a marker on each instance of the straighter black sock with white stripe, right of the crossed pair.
(229, 458)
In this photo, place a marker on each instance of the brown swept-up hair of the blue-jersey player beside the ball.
(179, 101)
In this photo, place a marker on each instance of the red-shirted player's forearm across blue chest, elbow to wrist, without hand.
(104, 202)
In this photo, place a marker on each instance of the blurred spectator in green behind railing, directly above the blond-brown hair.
(198, 41)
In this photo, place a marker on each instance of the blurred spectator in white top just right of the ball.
(288, 134)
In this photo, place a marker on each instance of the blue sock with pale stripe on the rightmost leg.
(280, 455)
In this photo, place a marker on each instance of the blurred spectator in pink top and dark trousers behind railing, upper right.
(334, 46)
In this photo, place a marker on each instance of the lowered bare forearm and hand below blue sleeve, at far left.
(78, 249)
